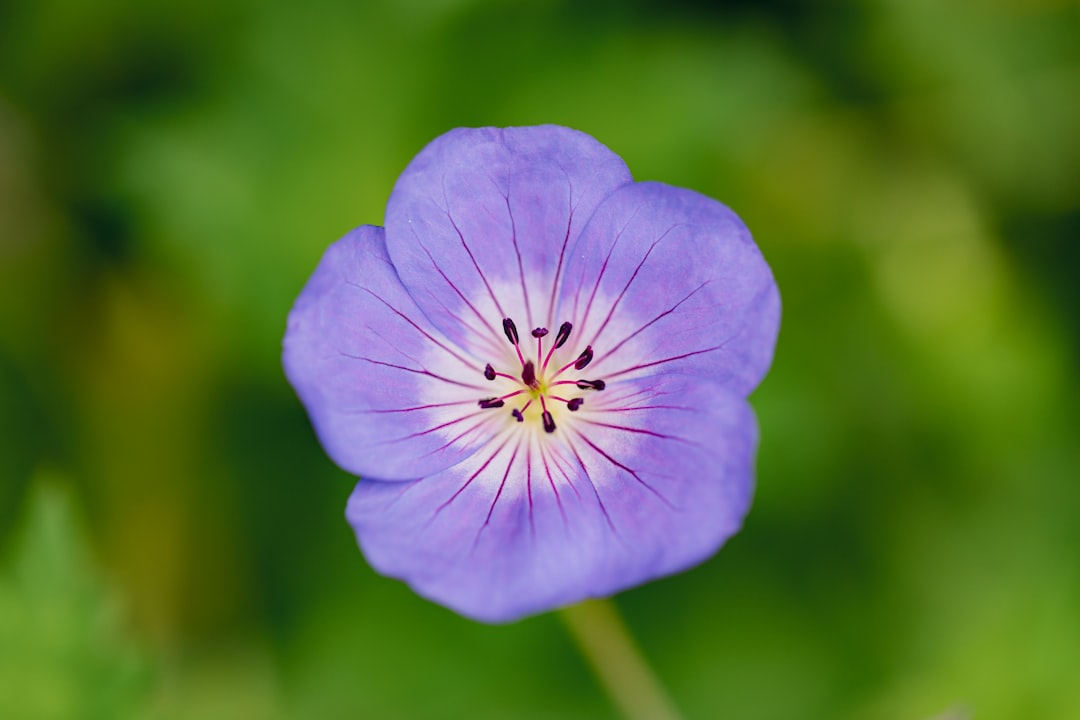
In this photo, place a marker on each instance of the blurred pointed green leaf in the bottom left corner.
(62, 650)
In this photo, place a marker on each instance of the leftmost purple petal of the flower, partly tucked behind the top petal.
(388, 396)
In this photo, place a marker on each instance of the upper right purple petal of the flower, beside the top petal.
(667, 280)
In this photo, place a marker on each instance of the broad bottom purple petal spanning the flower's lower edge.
(650, 482)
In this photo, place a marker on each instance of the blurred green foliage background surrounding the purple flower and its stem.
(172, 538)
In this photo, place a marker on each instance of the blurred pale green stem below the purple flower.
(607, 645)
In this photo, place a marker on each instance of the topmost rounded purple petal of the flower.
(480, 223)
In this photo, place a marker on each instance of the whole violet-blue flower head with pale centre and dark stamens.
(539, 369)
